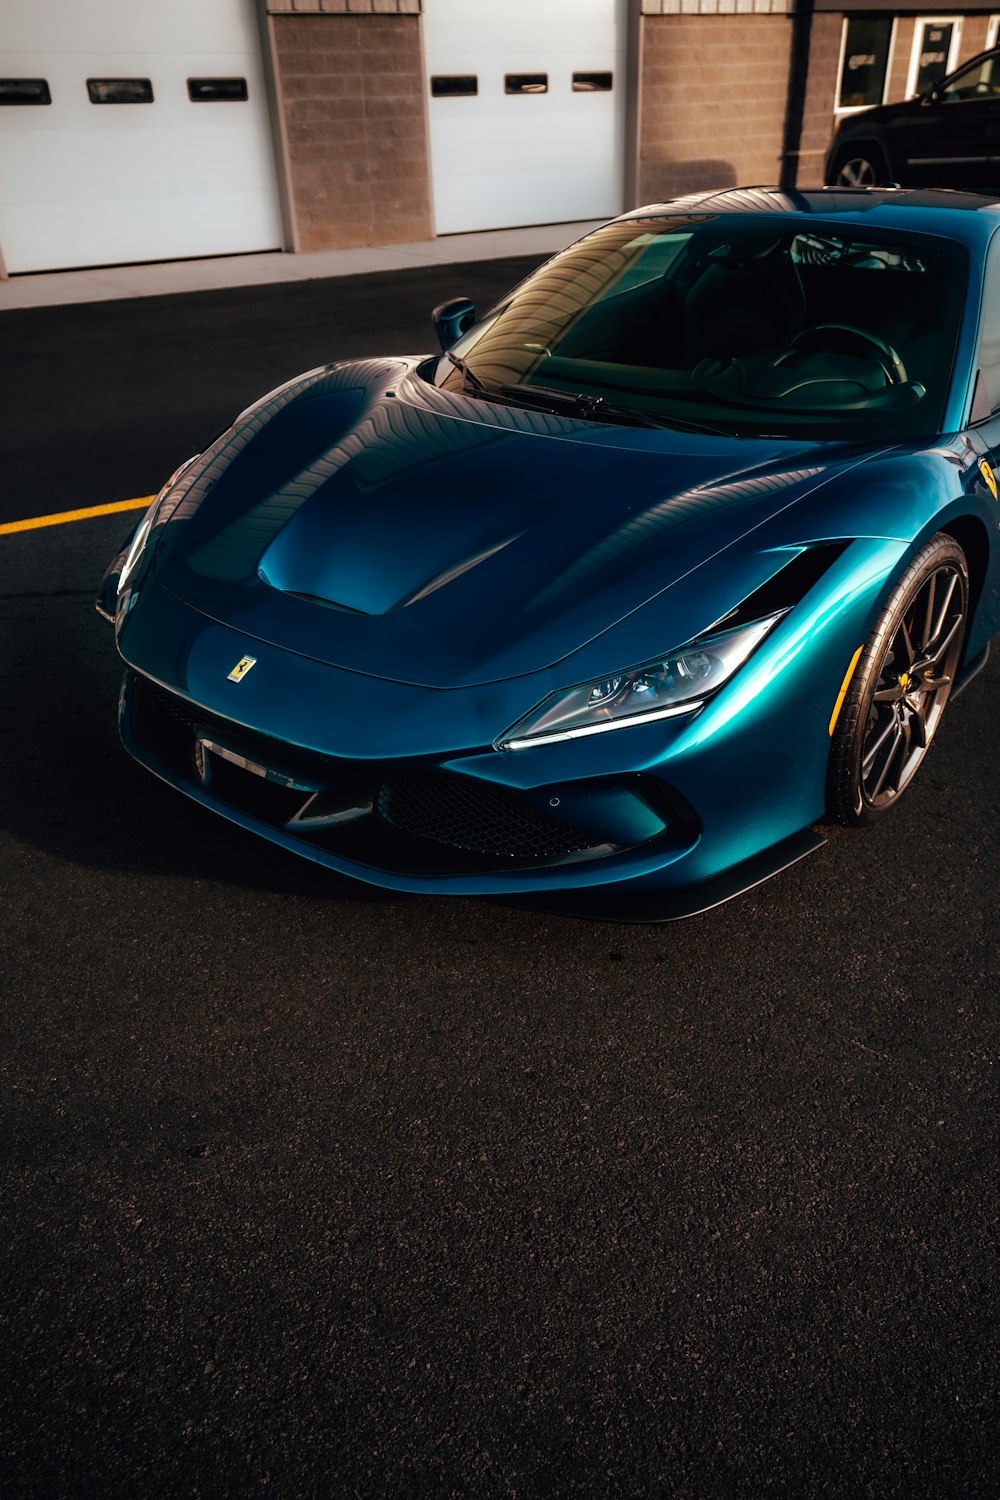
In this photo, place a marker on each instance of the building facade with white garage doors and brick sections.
(155, 131)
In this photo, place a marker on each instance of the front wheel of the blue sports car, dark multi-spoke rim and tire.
(900, 686)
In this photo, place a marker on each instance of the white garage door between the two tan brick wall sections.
(527, 110)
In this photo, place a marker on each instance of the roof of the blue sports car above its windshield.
(968, 218)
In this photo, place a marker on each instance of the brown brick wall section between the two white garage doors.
(352, 106)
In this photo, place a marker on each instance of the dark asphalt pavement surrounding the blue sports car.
(316, 1192)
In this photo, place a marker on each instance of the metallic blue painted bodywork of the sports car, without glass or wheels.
(491, 556)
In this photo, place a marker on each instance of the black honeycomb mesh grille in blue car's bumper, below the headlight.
(484, 820)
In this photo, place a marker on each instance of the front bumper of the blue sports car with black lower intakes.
(644, 824)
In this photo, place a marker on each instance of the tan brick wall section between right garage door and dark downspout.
(713, 103)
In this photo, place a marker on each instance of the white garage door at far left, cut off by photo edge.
(149, 149)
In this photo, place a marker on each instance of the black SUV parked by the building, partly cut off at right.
(948, 137)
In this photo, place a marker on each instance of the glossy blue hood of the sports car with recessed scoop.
(371, 521)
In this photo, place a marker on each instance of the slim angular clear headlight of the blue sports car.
(675, 685)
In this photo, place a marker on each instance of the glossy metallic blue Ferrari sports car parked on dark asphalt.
(677, 553)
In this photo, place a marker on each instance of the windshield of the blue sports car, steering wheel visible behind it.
(741, 323)
